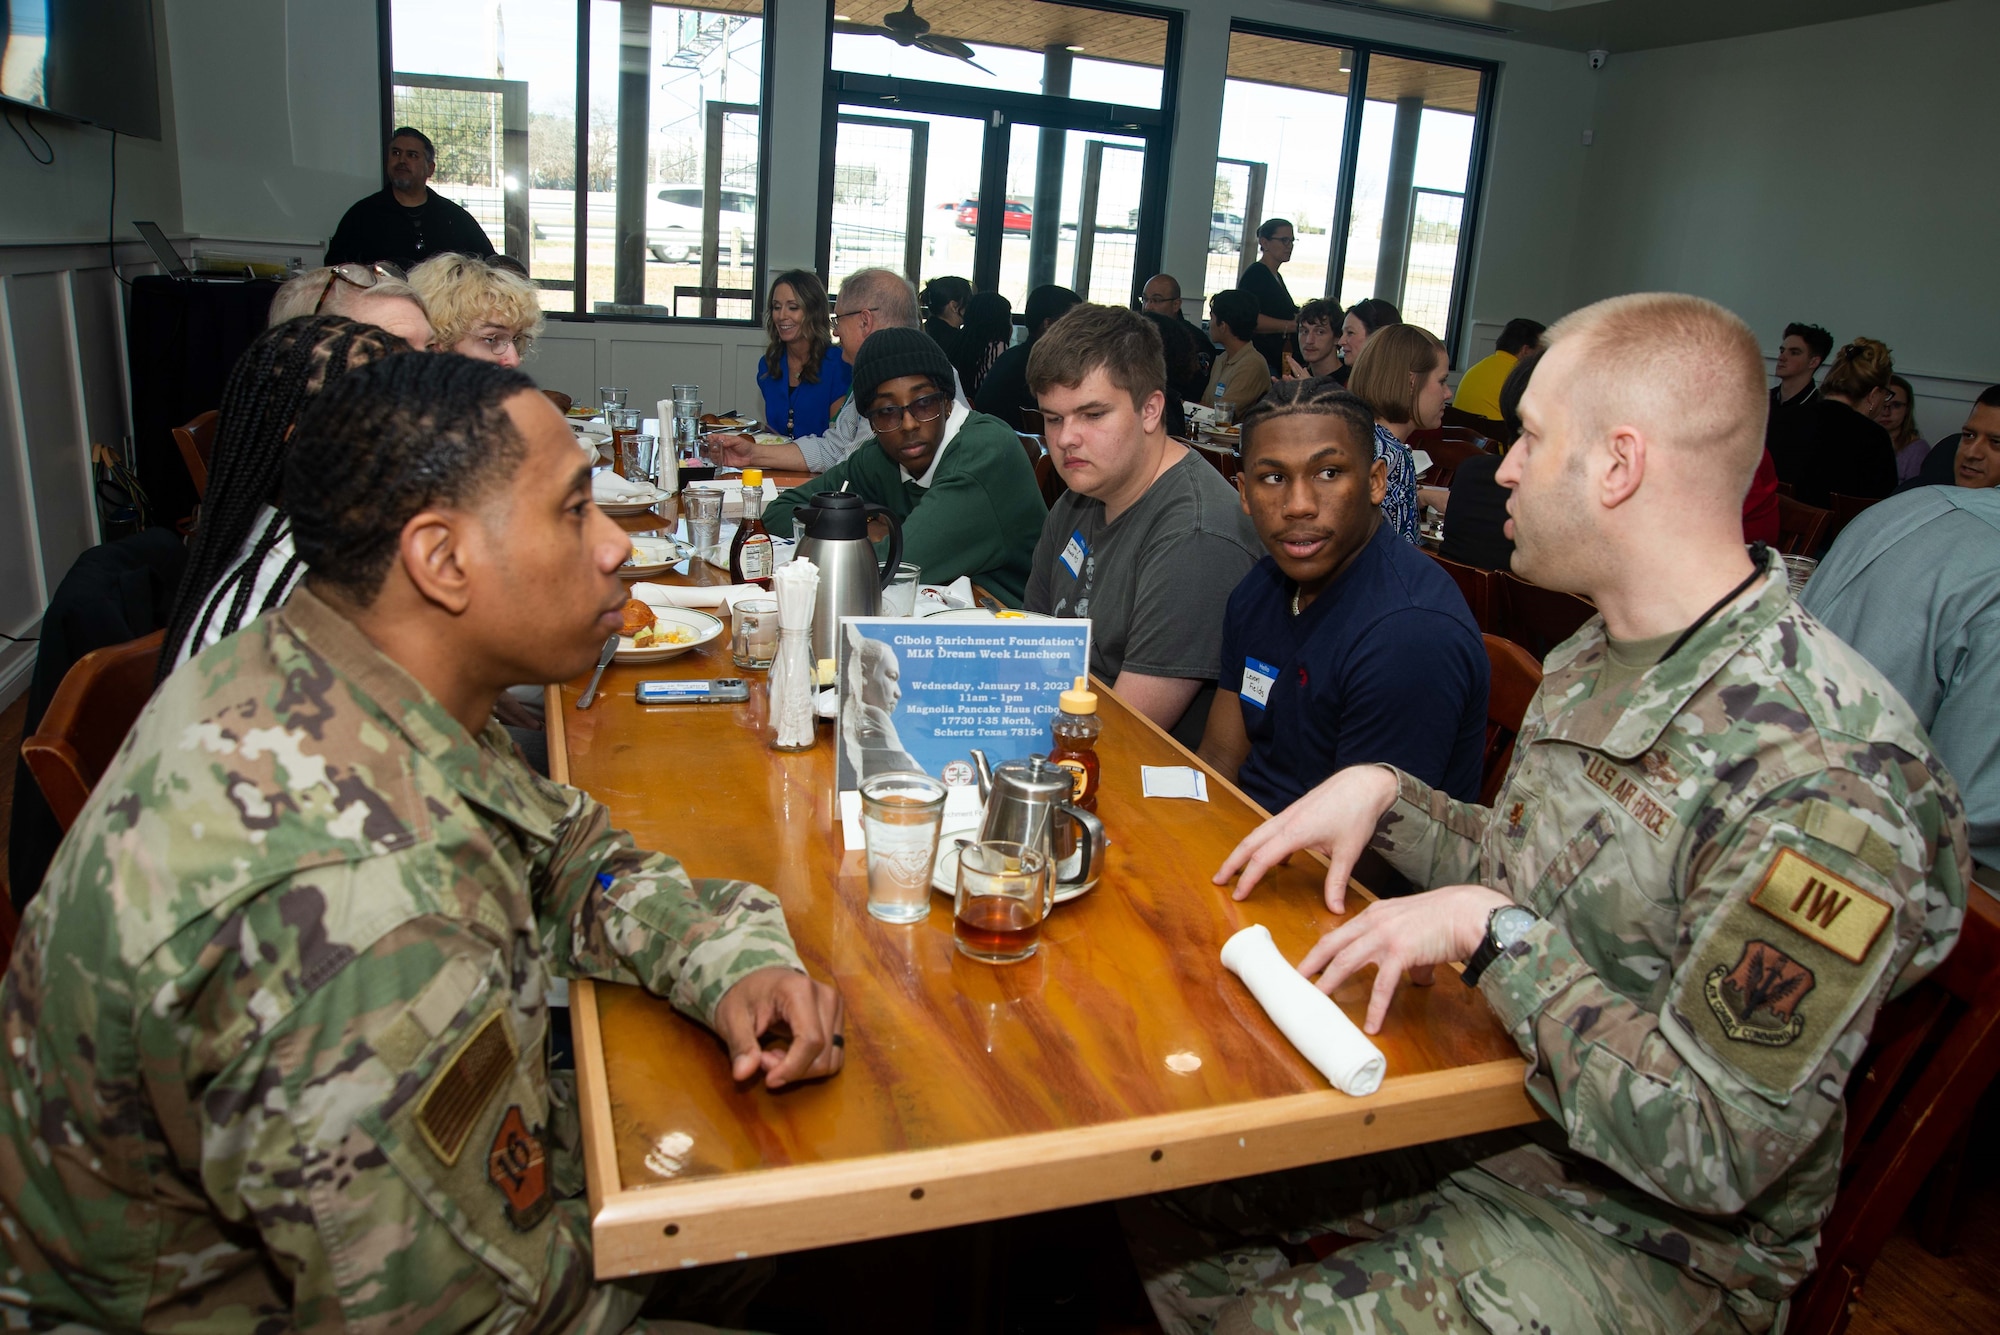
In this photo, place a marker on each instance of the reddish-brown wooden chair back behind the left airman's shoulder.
(89, 720)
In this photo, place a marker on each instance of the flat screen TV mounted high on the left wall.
(87, 61)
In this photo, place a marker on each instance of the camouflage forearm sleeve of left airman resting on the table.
(611, 910)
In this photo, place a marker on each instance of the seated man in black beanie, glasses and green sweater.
(957, 481)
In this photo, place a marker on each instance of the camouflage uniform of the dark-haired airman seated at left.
(277, 1018)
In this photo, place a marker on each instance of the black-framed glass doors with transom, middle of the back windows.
(1061, 111)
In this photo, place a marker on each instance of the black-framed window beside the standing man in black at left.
(611, 147)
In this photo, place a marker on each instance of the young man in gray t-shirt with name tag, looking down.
(1151, 541)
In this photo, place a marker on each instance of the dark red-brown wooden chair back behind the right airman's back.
(1933, 1054)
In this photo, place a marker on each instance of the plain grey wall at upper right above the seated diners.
(1839, 175)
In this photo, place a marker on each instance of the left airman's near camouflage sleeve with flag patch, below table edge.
(387, 1142)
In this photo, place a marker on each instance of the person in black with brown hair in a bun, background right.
(1835, 445)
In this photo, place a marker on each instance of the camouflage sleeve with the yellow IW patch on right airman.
(1795, 924)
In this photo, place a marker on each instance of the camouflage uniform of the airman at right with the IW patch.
(1733, 856)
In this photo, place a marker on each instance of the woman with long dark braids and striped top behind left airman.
(243, 563)
